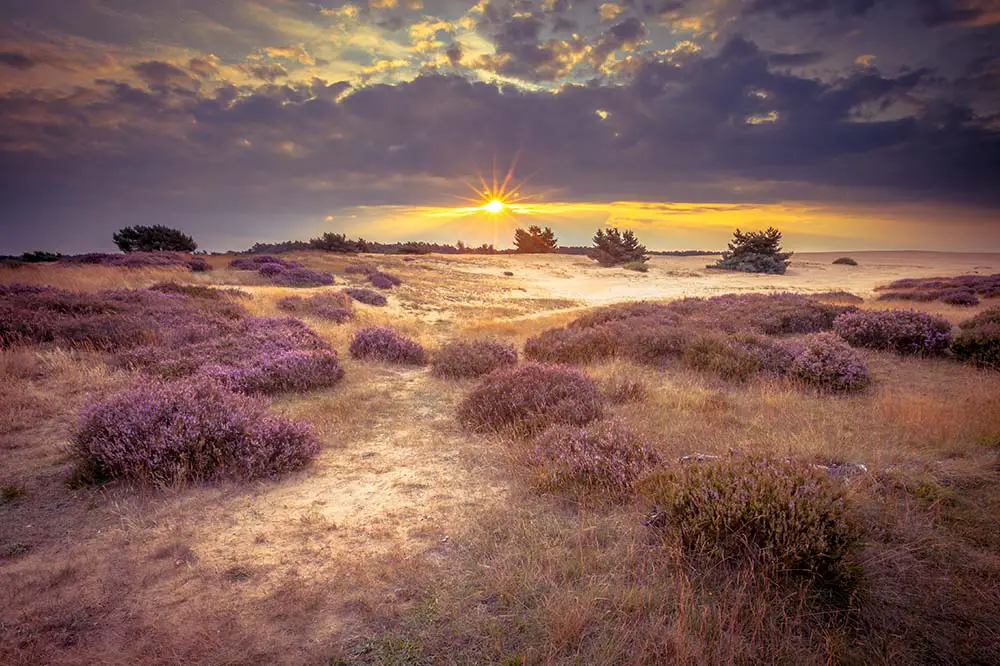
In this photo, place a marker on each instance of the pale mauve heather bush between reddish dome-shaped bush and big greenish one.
(603, 457)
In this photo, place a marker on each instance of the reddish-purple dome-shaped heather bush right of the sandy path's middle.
(530, 397)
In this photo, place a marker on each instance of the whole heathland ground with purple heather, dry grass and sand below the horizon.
(583, 503)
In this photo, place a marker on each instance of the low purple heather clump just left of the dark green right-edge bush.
(901, 331)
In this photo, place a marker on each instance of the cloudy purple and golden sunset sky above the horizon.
(849, 124)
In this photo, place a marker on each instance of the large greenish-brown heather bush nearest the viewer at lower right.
(785, 516)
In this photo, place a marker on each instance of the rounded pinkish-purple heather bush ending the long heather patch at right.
(830, 365)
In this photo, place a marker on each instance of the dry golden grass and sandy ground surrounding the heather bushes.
(410, 541)
